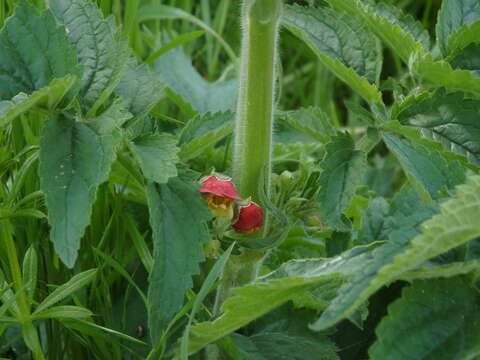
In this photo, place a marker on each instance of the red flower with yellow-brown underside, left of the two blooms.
(219, 193)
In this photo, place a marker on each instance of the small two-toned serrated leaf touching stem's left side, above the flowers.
(204, 131)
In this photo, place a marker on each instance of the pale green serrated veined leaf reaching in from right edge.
(456, 224)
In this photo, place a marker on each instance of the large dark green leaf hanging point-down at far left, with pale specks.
(75, 158)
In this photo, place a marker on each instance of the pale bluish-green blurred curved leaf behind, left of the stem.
(188, 88)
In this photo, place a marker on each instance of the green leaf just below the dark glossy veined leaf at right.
(434, 172)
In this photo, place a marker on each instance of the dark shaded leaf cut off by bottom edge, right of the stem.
(276, 345)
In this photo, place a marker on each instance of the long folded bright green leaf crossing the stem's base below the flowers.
(292, 280)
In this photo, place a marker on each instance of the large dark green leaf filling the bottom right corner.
(445, 325)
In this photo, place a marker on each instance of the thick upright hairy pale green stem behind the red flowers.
(252, 146)
